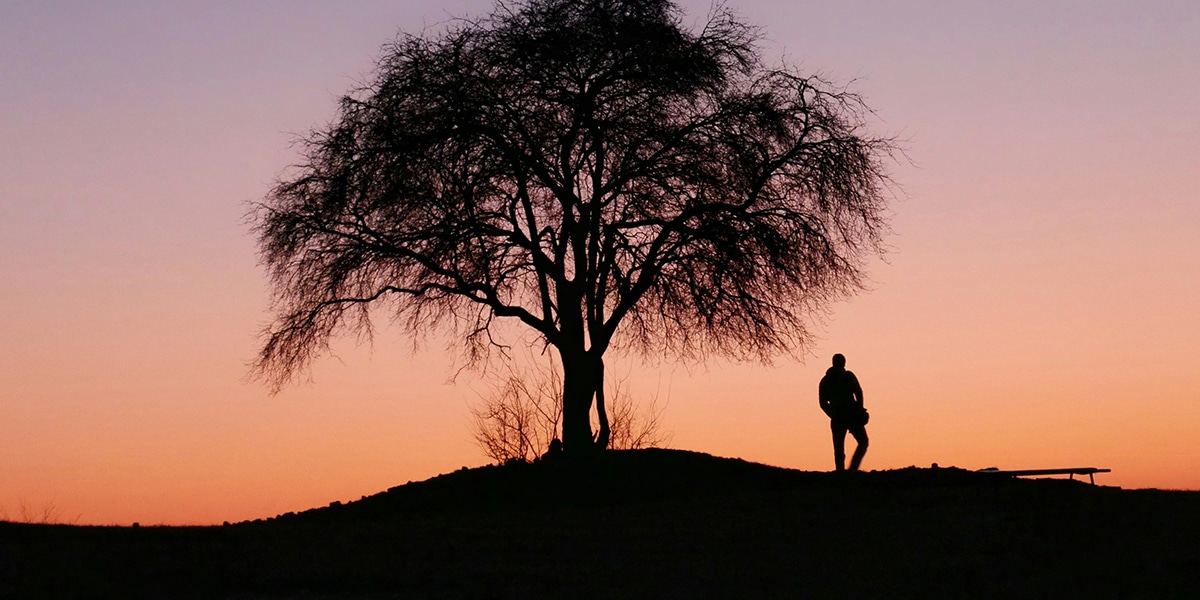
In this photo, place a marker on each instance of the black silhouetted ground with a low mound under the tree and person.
(651, 524)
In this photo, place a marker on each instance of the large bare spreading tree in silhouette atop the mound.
(591, 170)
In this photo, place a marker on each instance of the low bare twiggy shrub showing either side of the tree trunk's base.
(523, 415)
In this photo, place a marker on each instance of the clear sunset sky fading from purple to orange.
(1037, 308)
